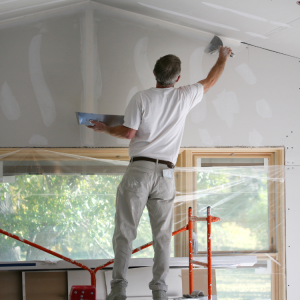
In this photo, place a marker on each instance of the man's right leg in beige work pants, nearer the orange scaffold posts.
(160, 207)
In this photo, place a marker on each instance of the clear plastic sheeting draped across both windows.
(66, 203)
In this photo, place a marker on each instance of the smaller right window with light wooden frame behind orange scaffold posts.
(245, 188)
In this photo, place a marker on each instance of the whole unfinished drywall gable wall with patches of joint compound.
(94, 58)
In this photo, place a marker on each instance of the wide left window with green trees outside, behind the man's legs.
(64, 202)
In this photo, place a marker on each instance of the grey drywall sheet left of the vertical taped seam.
(41, 79)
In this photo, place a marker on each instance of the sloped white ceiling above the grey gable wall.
(270, 24)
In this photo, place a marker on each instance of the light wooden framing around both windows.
(185, 183)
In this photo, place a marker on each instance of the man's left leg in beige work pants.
(131, 199)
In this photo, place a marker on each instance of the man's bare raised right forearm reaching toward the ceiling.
(217, 69)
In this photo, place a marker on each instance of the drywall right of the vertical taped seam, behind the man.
(254, 103)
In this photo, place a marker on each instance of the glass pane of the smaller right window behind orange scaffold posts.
(241, 200)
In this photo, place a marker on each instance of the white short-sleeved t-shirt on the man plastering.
(158, 115)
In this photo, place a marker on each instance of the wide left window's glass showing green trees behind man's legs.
(69, 214)
